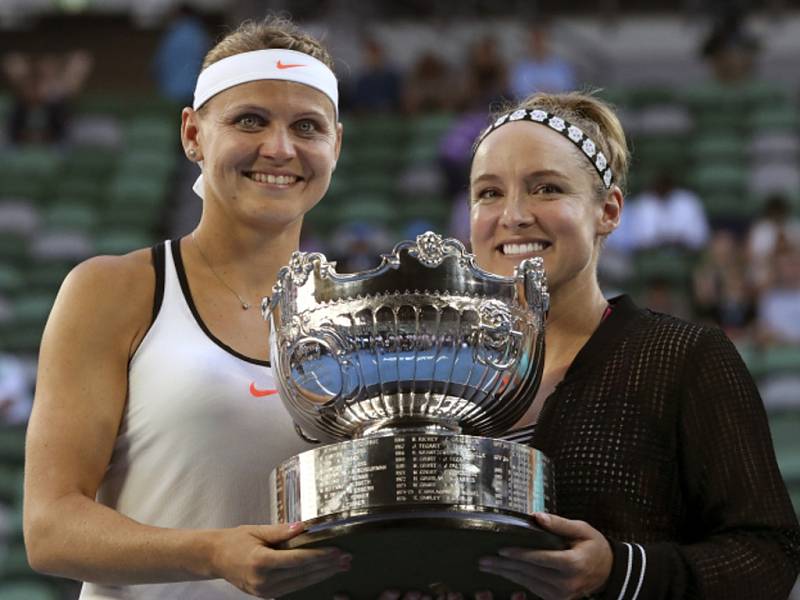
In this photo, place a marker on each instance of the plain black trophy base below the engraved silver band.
(433, 552)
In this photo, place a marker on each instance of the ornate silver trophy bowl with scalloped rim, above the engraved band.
(314, 309)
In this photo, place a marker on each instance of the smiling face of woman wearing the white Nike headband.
(268, 150)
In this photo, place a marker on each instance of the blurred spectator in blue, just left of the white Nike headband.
(180, 53)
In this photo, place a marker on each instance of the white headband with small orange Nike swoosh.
(270, 64)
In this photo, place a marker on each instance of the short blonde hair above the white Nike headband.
(271, 32)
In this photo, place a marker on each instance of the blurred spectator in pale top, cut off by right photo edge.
(779, 303)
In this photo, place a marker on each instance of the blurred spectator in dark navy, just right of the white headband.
(377, 87)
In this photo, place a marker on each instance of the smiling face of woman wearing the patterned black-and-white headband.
(533, 194)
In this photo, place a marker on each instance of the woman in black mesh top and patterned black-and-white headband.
(666, 478)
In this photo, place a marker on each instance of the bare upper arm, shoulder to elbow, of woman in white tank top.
(101, 312)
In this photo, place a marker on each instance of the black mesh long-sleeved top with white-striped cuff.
(660, 441)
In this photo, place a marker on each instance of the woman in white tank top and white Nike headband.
(156, 421)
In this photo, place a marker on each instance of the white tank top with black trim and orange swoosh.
(201, 431)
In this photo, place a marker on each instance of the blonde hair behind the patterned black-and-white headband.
(594, 116)
